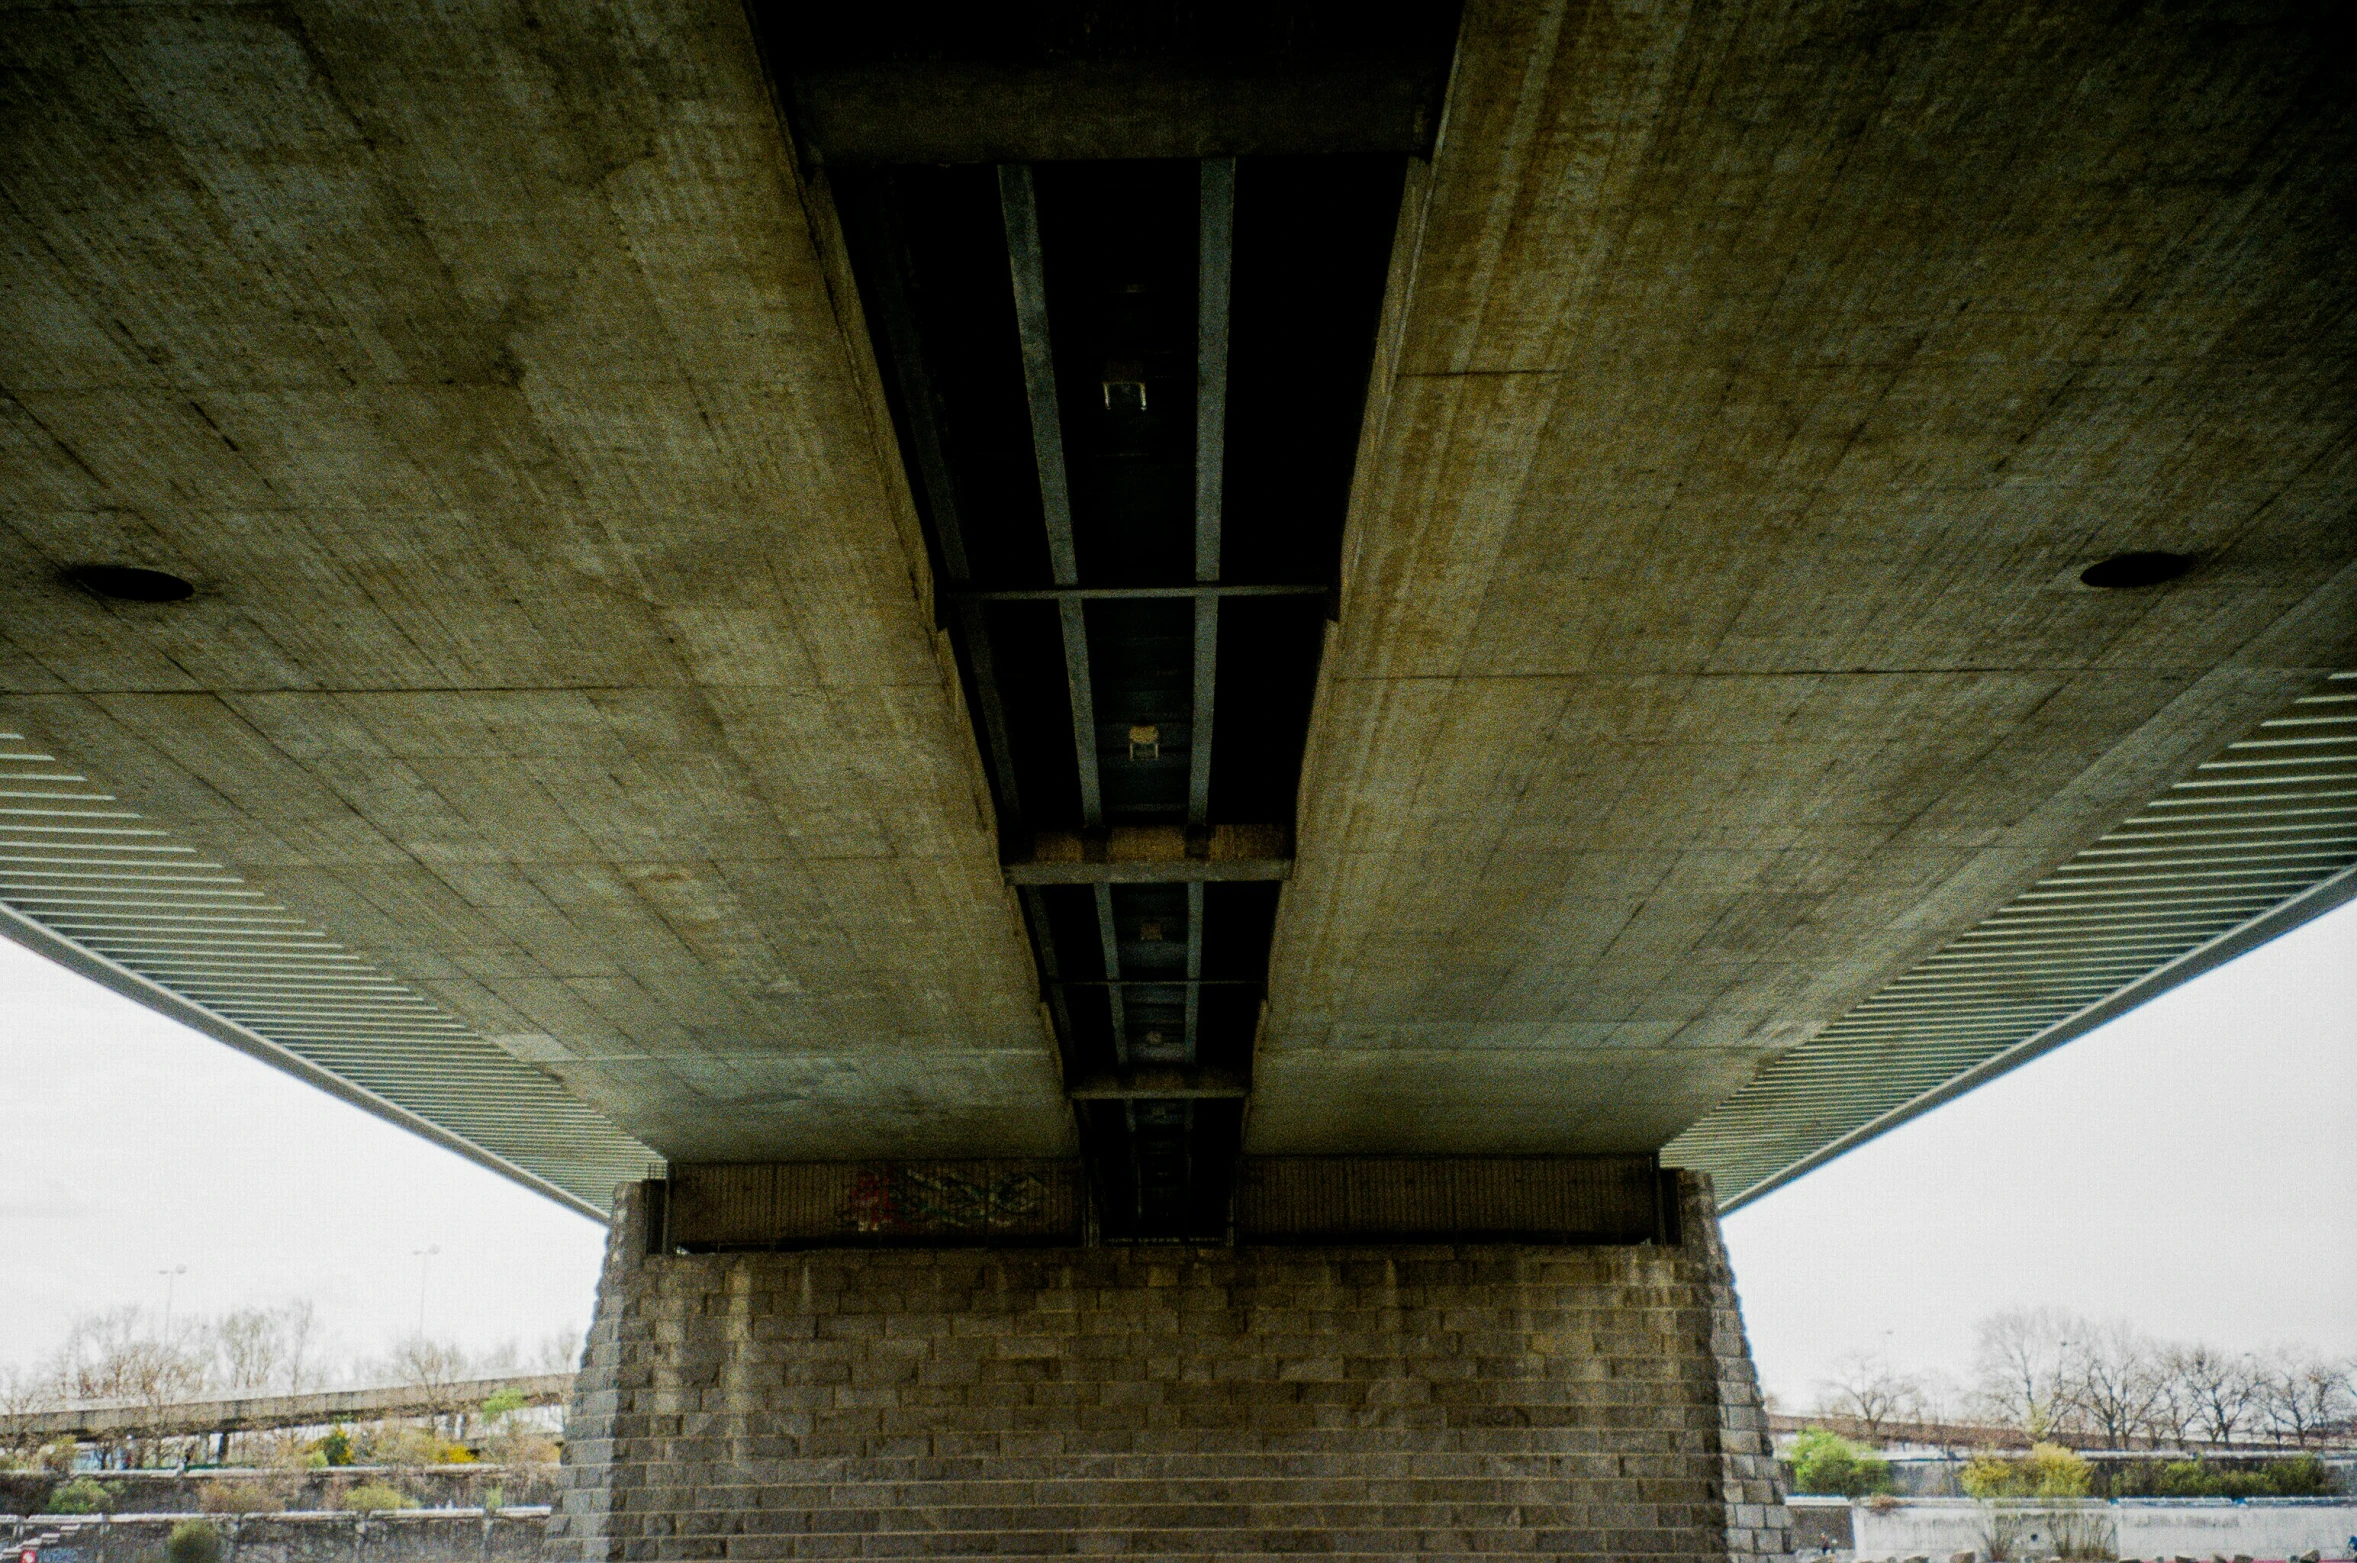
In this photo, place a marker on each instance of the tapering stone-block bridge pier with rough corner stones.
(1378, 1399)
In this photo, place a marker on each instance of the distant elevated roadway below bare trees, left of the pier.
(98, 1420)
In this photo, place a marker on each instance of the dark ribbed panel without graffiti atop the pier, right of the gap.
(1543, 1199)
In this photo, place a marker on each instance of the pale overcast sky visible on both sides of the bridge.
(2191, 1168)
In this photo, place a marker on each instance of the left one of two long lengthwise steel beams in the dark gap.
(1019, 206)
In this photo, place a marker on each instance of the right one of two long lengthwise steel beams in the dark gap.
(1215, 270)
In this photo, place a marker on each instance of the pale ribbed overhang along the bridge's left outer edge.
(117, 897)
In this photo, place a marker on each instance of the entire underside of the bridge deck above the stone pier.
(1170, 624)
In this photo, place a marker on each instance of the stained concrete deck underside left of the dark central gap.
(562, 631)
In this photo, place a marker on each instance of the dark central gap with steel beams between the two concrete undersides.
(1140, 831)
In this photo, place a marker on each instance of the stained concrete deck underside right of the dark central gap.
(1757, 385)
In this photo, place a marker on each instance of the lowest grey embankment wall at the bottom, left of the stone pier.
(416, 1536)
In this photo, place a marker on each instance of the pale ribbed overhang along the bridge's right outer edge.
(2254, 840)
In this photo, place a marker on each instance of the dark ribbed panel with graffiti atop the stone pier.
(937, 1203)
